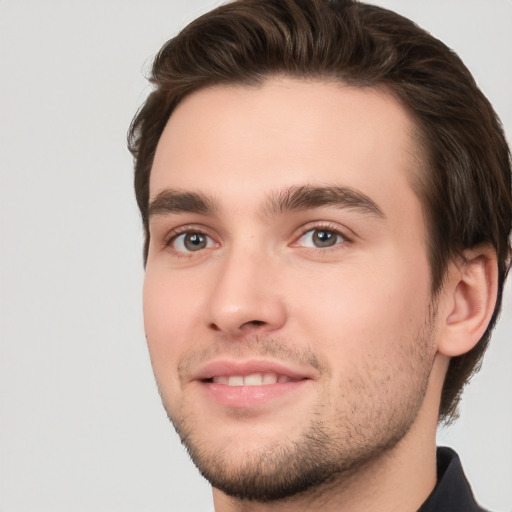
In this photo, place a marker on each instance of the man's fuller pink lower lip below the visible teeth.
(245, 397)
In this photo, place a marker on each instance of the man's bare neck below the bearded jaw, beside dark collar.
(397, 480)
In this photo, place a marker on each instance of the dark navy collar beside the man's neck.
(452, 492)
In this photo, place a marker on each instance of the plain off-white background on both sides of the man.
(81, 425)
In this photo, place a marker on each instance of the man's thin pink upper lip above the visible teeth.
(226, 367)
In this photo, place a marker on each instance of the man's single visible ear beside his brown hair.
(469, 299)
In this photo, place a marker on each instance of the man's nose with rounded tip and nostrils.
(246, 297)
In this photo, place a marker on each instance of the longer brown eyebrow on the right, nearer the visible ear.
(301, 198)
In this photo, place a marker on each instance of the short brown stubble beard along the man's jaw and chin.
(369, 424)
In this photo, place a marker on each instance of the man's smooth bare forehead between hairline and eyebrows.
(231, 141)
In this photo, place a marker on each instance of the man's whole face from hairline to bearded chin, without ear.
(287, 296)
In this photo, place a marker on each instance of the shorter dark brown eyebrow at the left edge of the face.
(176, 201)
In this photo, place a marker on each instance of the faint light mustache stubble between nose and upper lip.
(253, 347)
